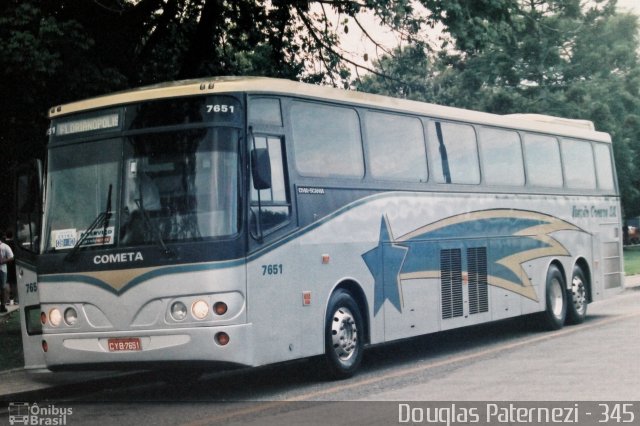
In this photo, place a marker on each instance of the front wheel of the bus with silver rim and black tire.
(344, 334)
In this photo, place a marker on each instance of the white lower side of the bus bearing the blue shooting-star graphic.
(420, 259)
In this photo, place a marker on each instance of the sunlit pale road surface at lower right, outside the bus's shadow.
(599, 360)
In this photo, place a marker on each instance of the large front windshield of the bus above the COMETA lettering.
(150, 188)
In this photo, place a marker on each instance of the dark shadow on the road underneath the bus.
(295, 377)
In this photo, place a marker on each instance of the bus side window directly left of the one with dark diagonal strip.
(396, 148)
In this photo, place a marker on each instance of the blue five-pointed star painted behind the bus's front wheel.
(385, 263)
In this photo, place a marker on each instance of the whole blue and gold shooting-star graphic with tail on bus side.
(512, 237)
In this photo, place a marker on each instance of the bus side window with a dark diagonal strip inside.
(454, 153)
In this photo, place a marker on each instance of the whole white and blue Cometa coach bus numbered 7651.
(248, 221)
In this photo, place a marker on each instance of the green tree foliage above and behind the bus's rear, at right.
(556, 57)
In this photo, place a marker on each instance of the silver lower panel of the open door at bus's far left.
(27, 280)
